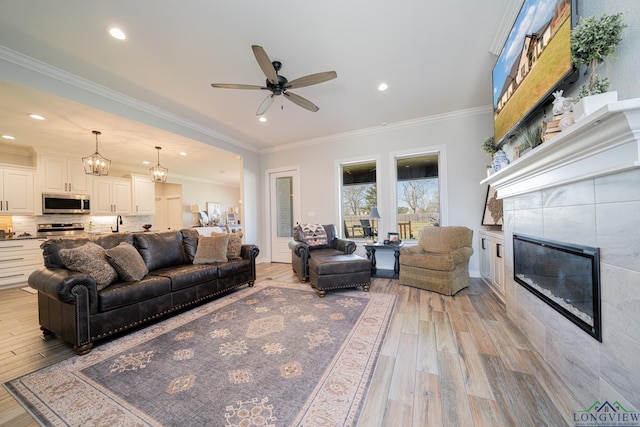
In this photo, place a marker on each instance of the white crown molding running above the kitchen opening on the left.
(58, 74)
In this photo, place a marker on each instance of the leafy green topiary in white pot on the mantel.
(593, 40)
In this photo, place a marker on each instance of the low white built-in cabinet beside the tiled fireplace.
(492, 261)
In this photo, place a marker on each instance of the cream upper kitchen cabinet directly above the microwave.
(60, 175)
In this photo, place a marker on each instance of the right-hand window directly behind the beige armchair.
(417, 193)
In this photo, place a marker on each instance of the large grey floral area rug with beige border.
(272, 355)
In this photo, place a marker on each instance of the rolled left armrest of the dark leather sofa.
(58, 283)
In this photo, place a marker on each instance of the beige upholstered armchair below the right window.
(440, 261)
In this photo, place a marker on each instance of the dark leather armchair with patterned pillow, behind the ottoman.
(301, 251)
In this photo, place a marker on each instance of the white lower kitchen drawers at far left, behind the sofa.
(18, 259)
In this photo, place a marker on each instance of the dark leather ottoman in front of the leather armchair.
(339, 271)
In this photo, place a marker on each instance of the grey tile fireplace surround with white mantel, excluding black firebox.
(583, 187)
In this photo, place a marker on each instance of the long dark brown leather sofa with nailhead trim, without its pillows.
(72, 308)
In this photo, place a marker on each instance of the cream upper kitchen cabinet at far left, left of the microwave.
(17, 191)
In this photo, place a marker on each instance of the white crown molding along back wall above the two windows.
(383, 129)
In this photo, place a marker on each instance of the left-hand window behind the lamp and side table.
(358, 195)
